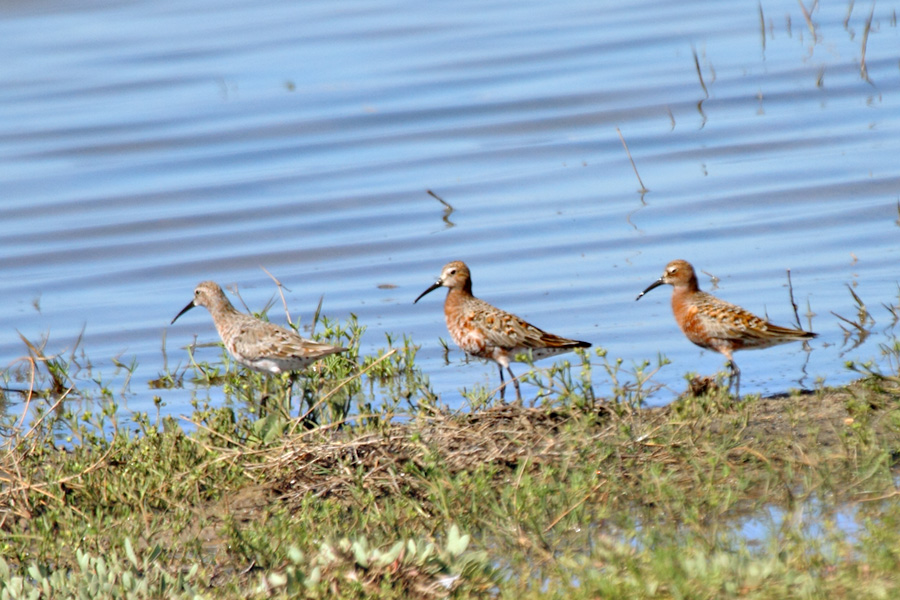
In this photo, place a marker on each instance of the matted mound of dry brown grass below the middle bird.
(328, 462)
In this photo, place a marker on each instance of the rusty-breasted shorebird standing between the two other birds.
(485, 331)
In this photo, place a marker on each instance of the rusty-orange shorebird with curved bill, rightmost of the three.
(718, 325)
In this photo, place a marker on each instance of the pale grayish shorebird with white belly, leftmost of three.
(256, 344)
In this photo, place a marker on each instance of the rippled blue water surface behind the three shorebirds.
(146, 146)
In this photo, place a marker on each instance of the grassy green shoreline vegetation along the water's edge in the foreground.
(336, 496)
